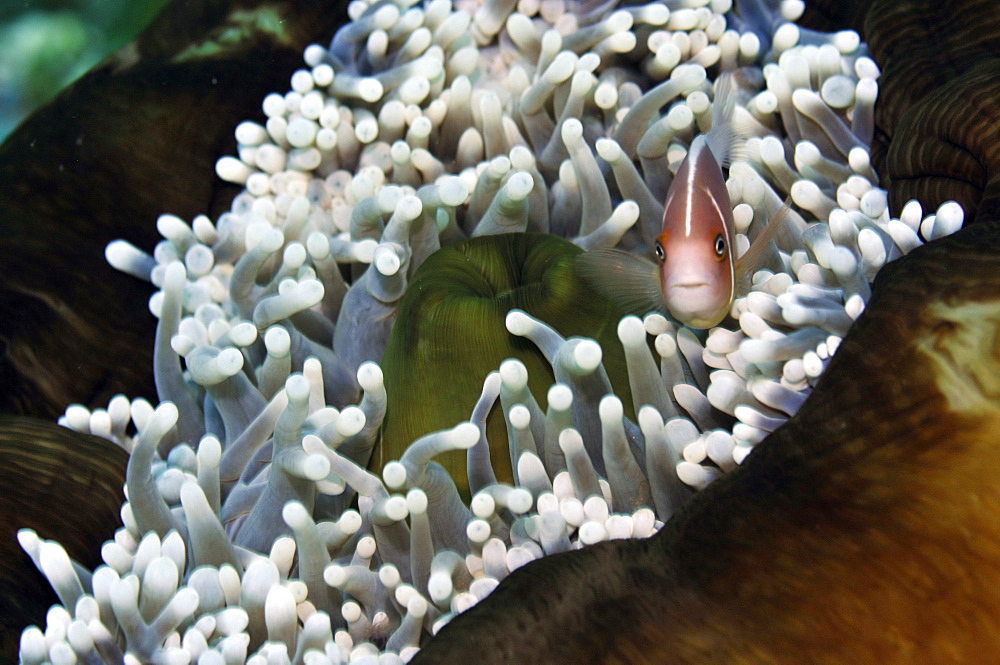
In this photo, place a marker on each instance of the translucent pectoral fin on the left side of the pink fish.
(629, 281)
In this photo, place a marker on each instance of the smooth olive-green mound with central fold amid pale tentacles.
(450, 334)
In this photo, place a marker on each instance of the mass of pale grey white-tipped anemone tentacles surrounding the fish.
(419, 126)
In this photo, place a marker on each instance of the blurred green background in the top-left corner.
(47, 44)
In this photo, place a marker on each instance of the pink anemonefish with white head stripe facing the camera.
(697, 275)
